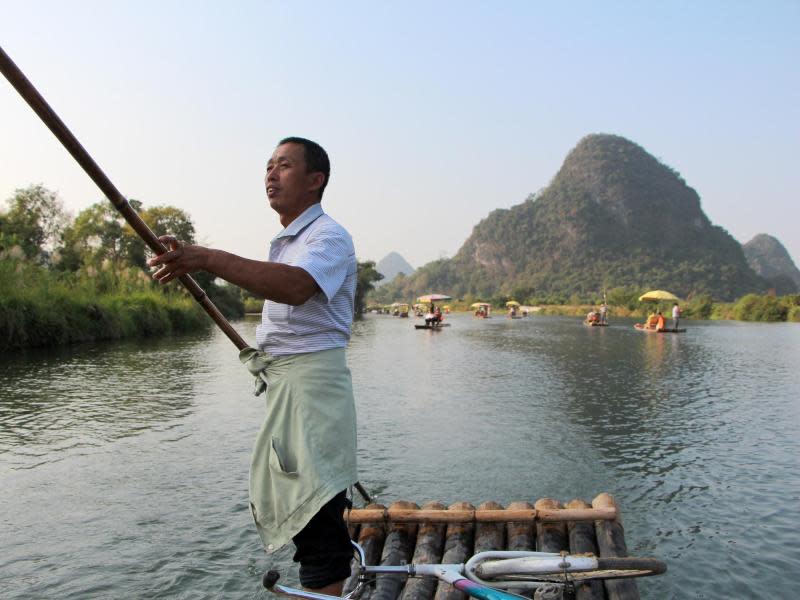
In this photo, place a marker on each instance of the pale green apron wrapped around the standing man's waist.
(305, 453)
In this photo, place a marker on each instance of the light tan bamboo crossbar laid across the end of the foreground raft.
(397, 515)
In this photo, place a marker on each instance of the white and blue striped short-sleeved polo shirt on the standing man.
(323, 248)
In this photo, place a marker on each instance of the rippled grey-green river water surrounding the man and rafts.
(123, 466)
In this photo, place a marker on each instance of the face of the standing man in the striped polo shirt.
(289, 187)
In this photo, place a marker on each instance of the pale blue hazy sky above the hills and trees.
(433, 114)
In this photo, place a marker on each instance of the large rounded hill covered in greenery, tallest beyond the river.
(612, 216)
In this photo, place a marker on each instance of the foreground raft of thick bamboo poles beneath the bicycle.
(434, 533)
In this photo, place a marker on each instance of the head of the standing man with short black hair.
(297, 174)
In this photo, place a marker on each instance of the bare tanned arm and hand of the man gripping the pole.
(274, 281)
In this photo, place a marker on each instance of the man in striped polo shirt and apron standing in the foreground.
(305, 454)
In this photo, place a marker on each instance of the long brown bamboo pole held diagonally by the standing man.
(35, 100)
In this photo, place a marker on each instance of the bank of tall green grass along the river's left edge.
(42, 308)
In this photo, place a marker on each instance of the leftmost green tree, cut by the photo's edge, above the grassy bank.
(33, 221)
